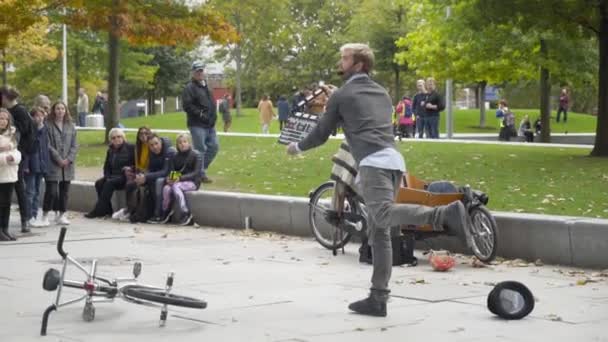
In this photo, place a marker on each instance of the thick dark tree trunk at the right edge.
(600, 148)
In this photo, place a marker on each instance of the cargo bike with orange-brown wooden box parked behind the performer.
(337, 212)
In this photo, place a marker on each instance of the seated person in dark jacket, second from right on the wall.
(161, 153)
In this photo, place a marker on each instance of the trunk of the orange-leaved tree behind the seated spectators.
(112, 114)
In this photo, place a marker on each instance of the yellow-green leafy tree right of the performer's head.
(463, 48)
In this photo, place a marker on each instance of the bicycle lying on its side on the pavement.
(99, 289)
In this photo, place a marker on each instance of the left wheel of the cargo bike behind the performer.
(327, 234)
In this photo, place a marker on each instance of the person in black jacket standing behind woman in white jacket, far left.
(25, 130)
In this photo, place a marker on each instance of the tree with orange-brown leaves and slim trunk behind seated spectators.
(141, 23)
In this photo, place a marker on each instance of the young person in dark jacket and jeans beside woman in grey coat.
(36, 164)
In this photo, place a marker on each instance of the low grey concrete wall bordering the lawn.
(563, 240)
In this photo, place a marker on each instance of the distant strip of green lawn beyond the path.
(465, 121)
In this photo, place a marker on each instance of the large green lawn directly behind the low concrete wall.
(560, 181)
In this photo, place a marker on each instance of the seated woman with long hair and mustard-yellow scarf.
(141, 166)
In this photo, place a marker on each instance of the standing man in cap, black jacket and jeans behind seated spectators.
(200, 109)
